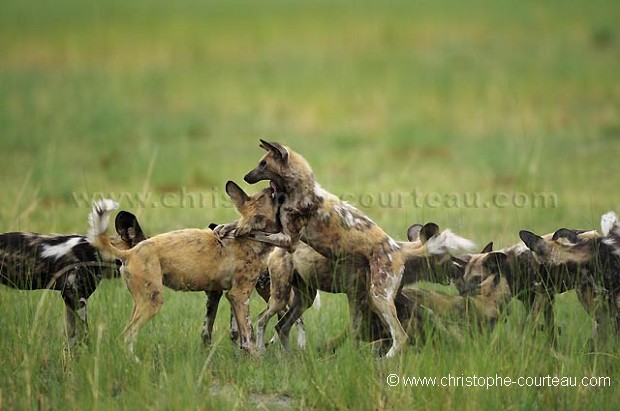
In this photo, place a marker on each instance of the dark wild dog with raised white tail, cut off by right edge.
(592, 262)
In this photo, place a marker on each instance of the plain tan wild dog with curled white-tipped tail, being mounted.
(193, 260)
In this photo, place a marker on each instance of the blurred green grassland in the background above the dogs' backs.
(388, 97)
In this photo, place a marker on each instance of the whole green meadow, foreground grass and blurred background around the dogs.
(486, 117)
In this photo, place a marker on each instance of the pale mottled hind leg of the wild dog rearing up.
(384, 284)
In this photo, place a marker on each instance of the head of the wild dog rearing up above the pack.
(282, 167)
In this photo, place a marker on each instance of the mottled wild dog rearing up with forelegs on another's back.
(333, 228)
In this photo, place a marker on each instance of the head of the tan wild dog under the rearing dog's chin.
(258, 212)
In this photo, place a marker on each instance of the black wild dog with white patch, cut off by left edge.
(64, 263)
